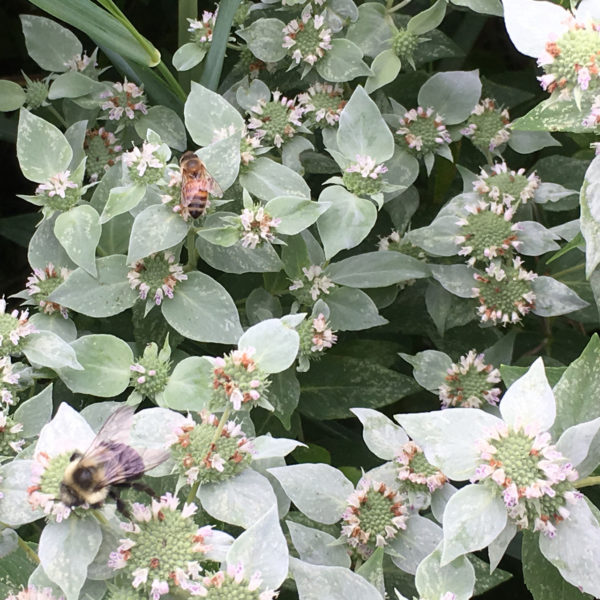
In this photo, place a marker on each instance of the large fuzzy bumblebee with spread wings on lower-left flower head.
(108, 465)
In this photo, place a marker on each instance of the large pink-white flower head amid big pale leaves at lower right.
(534, 477)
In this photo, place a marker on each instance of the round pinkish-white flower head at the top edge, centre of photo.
(307, 39)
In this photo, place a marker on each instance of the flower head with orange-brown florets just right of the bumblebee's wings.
(201, 456)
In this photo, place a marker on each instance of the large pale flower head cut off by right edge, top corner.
(571, 61)
